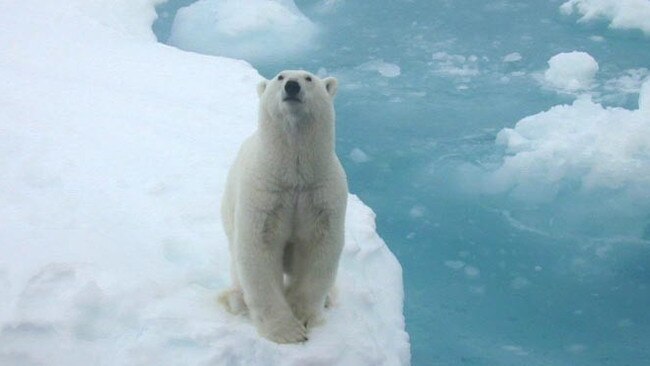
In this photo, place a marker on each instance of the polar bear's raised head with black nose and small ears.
(297, 95)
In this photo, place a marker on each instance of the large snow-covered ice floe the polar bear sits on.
(114, 151)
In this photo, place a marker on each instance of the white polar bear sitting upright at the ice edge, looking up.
(283, 209)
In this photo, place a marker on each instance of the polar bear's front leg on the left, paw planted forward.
(259, 263)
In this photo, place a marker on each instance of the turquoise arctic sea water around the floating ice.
(559, 278)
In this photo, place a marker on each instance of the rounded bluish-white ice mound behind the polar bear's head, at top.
(250, 30)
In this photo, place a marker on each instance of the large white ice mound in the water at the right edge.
(583, 143)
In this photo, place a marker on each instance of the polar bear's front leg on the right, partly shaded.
(314, 266)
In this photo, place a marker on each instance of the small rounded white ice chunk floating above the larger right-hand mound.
(571, 71)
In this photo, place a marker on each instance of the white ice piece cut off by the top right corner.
(622, 14)
